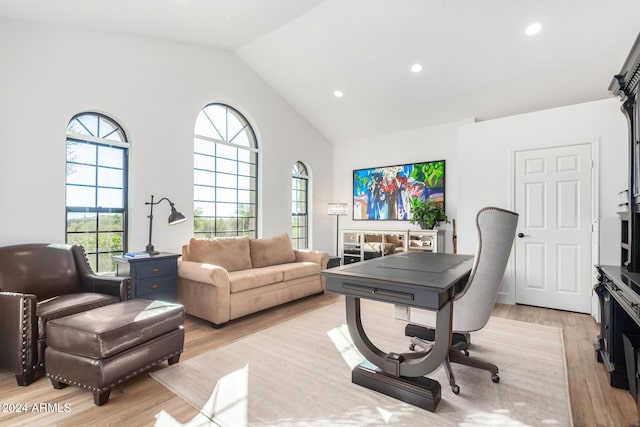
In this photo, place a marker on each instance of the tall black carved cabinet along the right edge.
(618, 287)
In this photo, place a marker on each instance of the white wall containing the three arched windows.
(155, 89)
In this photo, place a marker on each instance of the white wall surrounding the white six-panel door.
(486, 149)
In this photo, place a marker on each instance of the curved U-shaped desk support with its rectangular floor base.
(400, 375)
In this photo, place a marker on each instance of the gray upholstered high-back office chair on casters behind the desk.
(474, 302)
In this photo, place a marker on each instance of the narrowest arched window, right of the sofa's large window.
(300, 206)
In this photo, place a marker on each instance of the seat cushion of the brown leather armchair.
(66, 305)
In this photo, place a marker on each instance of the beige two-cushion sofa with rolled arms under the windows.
(223, 279)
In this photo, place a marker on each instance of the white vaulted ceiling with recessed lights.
(476, 59)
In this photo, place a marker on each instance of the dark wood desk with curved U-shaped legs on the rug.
(415, 279)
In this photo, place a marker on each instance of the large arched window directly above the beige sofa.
(225, 175)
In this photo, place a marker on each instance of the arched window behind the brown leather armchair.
(96, 188)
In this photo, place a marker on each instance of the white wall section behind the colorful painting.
(417, 145)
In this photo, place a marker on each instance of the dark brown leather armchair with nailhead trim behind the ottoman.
(41, 282)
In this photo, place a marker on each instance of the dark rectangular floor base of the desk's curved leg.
(422, 392)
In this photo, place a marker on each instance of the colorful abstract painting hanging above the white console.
(385, 193)
